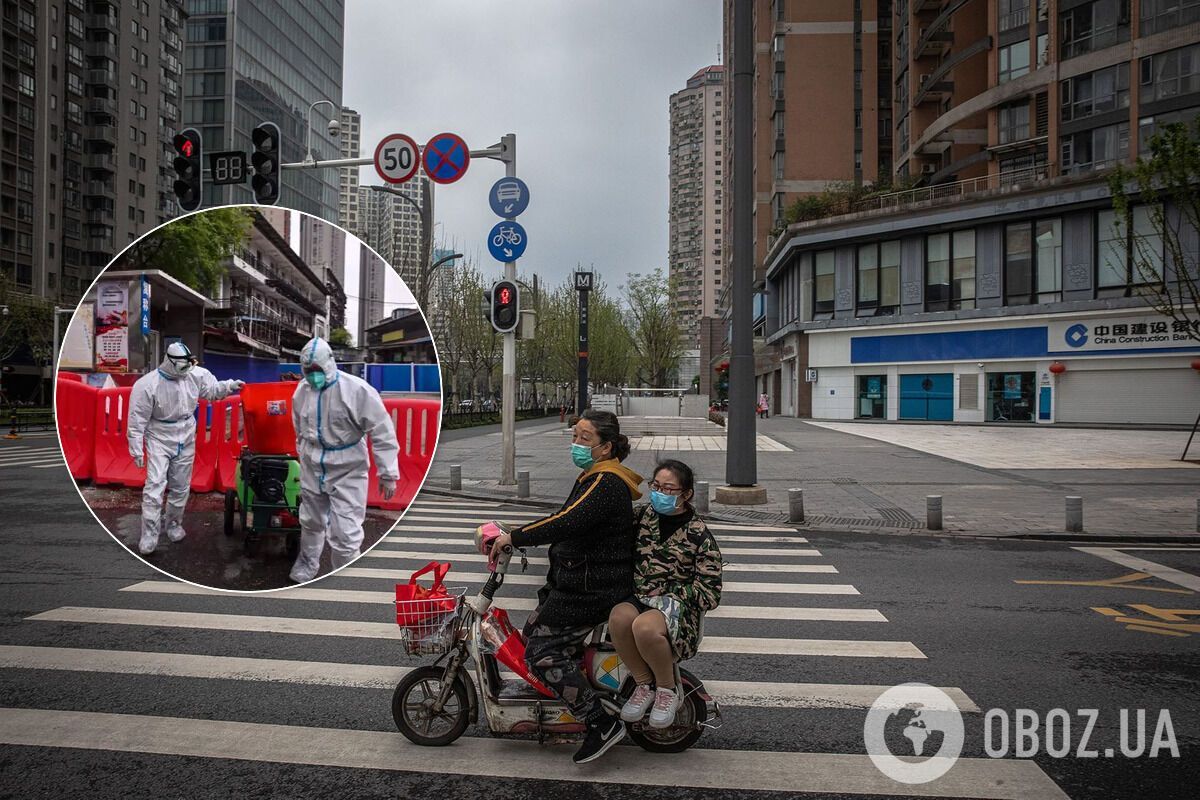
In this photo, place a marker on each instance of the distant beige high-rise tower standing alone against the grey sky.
(695, 238)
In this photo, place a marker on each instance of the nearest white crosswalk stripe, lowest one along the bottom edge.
(715, 769)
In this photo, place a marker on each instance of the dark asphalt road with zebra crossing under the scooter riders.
(118, 682)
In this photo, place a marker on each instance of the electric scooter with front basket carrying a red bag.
(435, 705)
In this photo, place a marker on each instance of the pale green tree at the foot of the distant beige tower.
(653, 328)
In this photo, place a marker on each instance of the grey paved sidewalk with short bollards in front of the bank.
(866, 478)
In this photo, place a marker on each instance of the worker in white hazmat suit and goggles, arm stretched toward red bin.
(163, 419)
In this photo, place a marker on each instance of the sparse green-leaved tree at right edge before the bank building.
(1167, 184)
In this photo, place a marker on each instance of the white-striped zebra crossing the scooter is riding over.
(339, 635)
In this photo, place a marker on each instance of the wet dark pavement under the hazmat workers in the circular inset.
(207, 556)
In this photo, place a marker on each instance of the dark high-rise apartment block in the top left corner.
(91, 100)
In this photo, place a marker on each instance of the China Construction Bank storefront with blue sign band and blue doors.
(1099, 366)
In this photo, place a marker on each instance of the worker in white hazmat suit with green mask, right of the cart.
(334, 413)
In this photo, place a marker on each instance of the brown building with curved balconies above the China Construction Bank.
(1004, 288)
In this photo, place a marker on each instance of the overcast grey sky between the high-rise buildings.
(584, 85)
